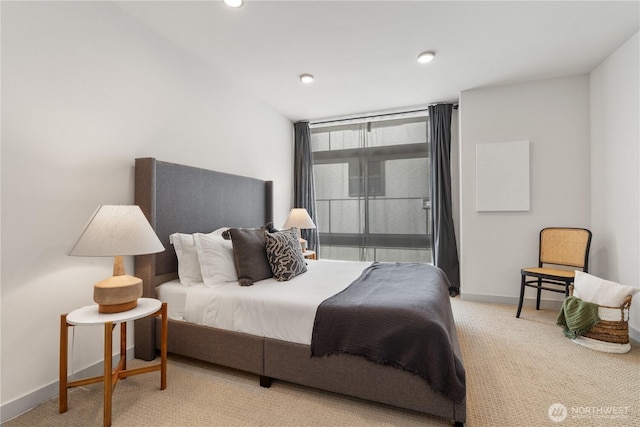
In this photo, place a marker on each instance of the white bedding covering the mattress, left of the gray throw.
(280, 310)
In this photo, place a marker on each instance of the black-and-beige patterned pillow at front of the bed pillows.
(285, 254)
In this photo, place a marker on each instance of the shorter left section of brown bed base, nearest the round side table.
(227, 348)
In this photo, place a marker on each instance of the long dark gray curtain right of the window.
(445, 250)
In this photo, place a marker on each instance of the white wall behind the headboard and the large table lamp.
(86, 90)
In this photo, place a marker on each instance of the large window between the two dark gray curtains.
(372, 190)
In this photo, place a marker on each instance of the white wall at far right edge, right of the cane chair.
(615, 161)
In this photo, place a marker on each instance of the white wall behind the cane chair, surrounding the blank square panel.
(554, 116)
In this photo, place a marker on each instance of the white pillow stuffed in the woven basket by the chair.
(602, 292)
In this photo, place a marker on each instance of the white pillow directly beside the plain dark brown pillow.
(216, 258)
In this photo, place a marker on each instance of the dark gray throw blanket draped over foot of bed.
(395, 314)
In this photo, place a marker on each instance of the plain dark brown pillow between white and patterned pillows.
(249, 255)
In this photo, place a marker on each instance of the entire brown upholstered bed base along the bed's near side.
(274, 359)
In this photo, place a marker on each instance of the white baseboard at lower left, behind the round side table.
(29, 401)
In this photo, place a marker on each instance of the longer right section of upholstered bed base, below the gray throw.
(355, 376)
